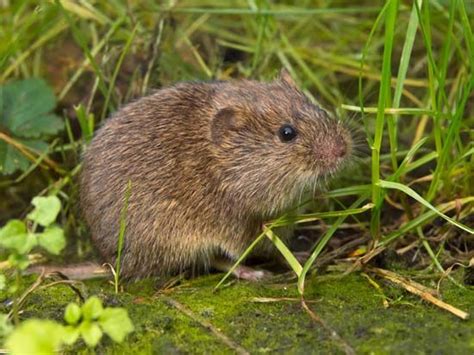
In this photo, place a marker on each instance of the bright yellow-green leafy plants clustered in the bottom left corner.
(90, 322)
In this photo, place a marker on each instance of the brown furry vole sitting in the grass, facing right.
(208, 163)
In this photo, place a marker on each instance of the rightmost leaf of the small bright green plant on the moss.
(116, 323)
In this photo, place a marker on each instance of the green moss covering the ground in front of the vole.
(349, 305)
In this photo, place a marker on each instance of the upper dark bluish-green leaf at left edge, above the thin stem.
(26, 109)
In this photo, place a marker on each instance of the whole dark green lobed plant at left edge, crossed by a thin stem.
(26, 120)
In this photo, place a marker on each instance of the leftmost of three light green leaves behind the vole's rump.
(14, 236)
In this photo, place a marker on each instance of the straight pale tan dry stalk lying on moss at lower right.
(419, 290)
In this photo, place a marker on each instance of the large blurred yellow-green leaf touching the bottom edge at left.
(35, 337)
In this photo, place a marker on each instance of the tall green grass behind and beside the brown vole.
(403, 74)
